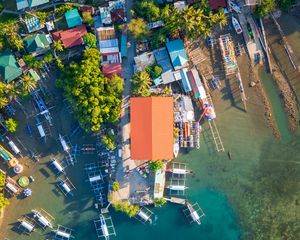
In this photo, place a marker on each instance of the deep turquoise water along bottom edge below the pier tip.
(170, 223)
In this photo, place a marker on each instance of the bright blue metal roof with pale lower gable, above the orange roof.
(177, 53)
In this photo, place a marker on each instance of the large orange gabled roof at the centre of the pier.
(151, 126)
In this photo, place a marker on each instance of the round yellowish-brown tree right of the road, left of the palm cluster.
(138, 29)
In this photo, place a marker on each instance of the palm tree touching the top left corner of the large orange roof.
(141, 83)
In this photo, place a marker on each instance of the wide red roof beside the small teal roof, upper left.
(71, 37)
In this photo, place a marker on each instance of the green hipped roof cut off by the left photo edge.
(9, 68)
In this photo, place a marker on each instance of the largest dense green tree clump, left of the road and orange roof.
(94, 98)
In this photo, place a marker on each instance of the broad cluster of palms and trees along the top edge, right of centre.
(193, 21)
